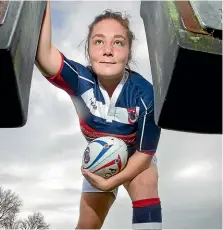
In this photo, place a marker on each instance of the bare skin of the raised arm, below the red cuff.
(48, 58)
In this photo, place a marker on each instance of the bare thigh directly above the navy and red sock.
(144, 185)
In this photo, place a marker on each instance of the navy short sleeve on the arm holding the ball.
(148, 133)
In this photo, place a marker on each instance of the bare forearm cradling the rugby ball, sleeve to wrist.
(136, 164)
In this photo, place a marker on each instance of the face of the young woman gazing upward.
(109, 49)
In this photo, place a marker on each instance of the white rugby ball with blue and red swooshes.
(105, 156)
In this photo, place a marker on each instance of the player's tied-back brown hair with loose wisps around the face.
(123, 20)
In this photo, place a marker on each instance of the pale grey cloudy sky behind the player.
(41, 161)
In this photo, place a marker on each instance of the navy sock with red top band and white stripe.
(147, 214)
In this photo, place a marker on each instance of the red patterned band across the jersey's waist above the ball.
(92, 133)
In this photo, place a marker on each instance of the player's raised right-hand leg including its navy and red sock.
(143, 190)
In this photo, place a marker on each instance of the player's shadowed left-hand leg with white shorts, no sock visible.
(94, 207)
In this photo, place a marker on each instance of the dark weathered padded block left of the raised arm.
(20, 24)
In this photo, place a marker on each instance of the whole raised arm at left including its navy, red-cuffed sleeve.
(54, 65)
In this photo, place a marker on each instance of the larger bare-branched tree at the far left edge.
(10, 205)
